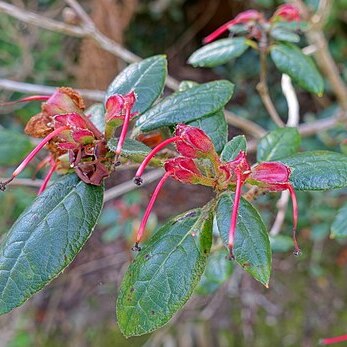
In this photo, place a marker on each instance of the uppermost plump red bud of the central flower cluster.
(192, 142)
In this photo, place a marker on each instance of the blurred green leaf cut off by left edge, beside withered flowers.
(13, 147)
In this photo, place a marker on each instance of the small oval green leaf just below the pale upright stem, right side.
(278, 144)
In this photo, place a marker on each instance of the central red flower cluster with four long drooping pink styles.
(199, 163)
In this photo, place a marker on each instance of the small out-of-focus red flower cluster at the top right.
(252, 20)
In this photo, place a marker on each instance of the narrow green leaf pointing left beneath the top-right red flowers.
(219, 52)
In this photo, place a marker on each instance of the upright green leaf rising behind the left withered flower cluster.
(146, 78)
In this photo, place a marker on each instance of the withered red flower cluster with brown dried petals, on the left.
(72, 139)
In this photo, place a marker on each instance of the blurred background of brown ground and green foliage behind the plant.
(307, 298)
